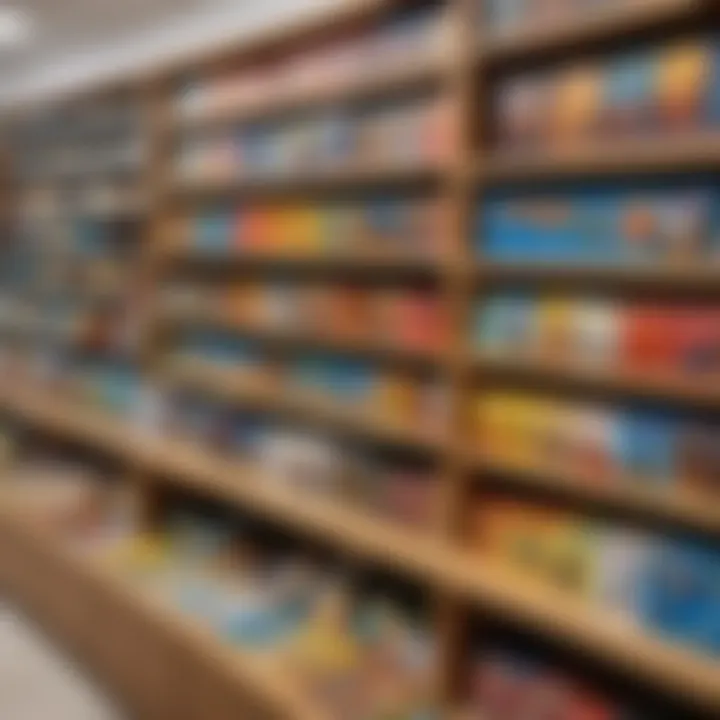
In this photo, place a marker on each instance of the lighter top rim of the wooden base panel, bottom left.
(264, 679)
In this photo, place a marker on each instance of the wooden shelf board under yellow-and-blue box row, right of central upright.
(633, 496)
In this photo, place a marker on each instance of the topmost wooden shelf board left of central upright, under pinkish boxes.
(409, 78)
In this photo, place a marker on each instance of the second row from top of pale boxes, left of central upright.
(393, 136)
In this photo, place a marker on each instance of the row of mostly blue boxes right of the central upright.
(606, 225)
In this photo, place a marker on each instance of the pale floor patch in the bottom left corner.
(37, 683)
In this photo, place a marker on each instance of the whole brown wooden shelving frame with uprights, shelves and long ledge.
(435, 558)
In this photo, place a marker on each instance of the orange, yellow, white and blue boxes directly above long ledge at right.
(670, 586)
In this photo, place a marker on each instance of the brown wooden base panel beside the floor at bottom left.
(161, 664)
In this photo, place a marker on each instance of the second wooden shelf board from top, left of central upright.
(315, 182)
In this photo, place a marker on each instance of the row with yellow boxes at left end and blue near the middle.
(600, 444)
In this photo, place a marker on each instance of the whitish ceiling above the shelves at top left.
(77, 41)
